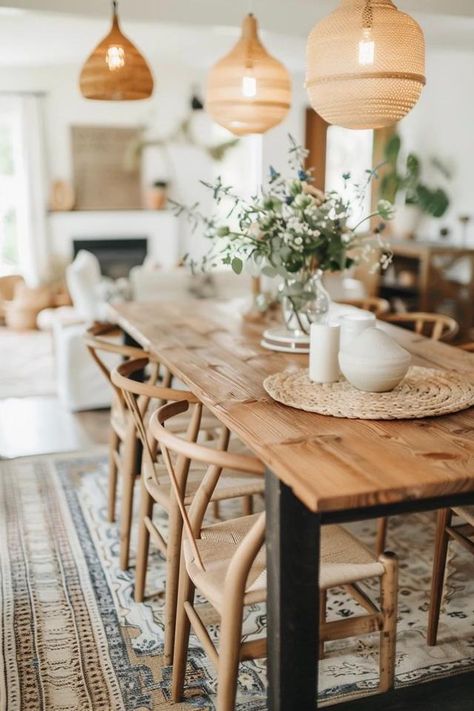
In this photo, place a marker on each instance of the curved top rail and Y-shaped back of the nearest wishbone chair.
(217, 459)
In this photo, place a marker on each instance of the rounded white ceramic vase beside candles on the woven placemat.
(374, 362)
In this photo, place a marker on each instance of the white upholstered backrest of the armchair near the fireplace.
(83, 278)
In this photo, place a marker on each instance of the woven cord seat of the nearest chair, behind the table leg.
(343, 560)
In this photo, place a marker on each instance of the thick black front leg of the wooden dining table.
(292, 541)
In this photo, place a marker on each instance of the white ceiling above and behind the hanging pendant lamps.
(195, 32)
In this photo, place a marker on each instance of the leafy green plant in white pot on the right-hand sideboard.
(402, 185)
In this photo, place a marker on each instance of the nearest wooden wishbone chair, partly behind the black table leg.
(225, 563)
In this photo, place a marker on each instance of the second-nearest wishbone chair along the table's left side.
(155, 483)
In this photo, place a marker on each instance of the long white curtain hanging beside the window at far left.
(30, 156)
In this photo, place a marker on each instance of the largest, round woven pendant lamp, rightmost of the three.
(365, 64)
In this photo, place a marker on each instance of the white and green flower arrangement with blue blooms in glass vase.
(292, 230)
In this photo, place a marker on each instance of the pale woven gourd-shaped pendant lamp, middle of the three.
(248, 91)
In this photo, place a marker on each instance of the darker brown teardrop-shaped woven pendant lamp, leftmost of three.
(116, 71)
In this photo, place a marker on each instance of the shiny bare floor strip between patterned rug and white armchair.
(40, 425)
